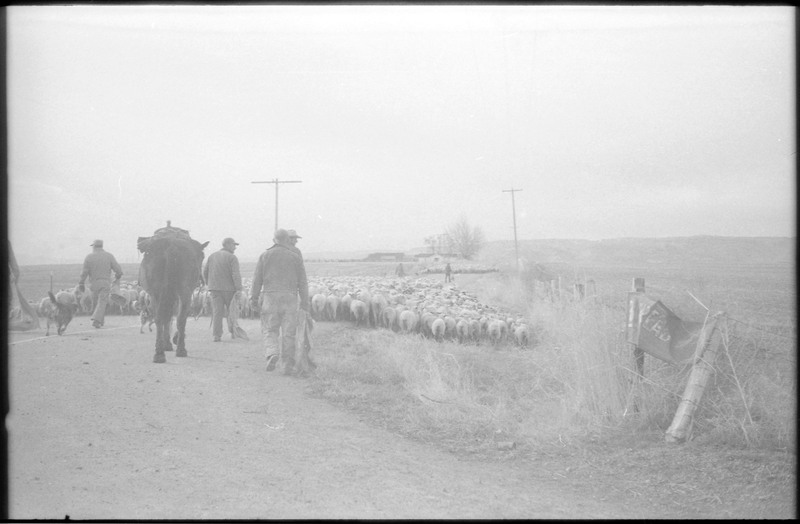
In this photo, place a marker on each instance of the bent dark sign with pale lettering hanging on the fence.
(660, 332)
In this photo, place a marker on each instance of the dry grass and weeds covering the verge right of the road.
(576, 409)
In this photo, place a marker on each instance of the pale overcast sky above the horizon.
(613, 121)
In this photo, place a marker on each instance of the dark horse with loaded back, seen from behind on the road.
(169, 272)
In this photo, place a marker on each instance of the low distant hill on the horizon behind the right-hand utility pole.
(646, 252)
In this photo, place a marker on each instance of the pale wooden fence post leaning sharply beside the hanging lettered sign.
(705, 354)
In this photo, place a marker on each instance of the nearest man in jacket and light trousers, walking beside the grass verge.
(282, 275)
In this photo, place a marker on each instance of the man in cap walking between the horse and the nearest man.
(221, 274)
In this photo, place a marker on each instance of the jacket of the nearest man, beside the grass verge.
(280, 268)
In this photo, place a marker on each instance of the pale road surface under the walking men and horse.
(98, 431)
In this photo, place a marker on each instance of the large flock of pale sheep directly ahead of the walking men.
(404, 305)
